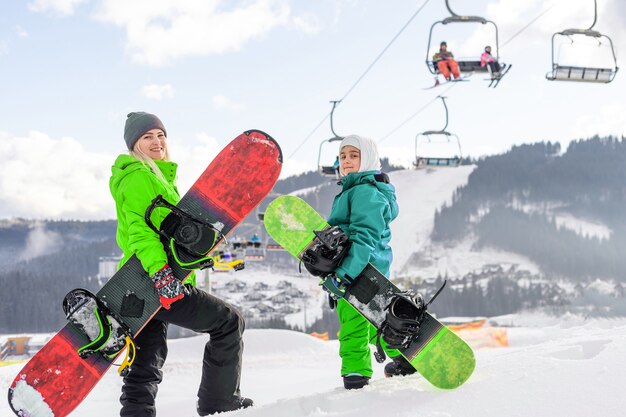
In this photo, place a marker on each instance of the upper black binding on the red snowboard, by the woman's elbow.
(187, 238)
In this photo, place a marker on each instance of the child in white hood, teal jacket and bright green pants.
(363, 209)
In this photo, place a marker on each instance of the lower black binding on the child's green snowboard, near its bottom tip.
(402, 322)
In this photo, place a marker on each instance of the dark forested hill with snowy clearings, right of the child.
(562, 211)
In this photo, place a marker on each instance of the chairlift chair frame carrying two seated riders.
(467, 66)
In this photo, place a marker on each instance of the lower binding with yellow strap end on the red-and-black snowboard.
(106, 332)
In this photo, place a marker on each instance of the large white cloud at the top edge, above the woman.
(159, 31)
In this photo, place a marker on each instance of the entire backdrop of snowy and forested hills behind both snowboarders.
(533, 226)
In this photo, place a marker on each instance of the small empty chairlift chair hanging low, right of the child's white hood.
(428, 159)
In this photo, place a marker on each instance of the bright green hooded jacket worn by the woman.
(133, 186)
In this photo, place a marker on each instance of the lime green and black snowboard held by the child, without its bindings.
(438, 354)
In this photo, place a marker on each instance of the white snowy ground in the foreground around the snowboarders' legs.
(553, 367)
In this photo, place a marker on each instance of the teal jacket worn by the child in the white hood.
(363, 210)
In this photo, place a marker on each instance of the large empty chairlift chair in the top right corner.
(593, 74)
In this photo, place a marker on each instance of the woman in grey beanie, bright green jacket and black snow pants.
(136, 179)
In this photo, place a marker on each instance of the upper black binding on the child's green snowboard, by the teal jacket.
(329, 248)
